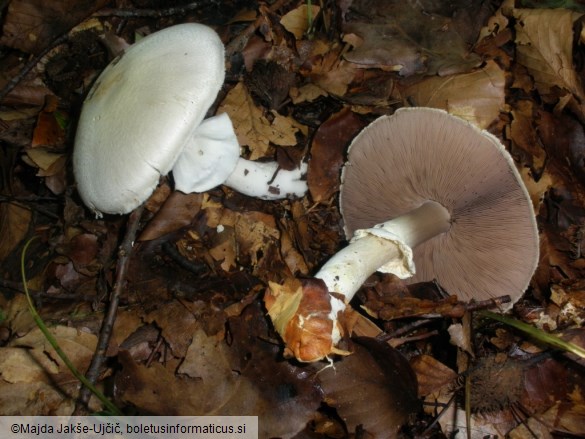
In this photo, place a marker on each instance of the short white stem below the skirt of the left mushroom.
(265, 180)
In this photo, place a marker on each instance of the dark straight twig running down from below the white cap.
(124, 254)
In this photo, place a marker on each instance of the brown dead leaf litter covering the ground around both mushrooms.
(191, 335)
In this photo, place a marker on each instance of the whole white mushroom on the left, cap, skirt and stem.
(144, 117)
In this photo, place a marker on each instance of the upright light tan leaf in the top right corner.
(544, 41)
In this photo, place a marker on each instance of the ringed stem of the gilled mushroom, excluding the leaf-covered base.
(385, 247)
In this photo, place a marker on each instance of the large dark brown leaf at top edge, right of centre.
(410, 38)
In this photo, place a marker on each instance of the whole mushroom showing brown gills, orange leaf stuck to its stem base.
(424, 189)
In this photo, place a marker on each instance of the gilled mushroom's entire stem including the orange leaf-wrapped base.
(310, 319)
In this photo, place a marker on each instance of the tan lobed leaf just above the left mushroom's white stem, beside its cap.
(253, 128)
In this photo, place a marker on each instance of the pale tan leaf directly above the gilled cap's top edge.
(477, 96)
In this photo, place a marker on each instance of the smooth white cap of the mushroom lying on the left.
(141, 113)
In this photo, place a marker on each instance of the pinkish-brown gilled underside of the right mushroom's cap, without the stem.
(418, 154)
